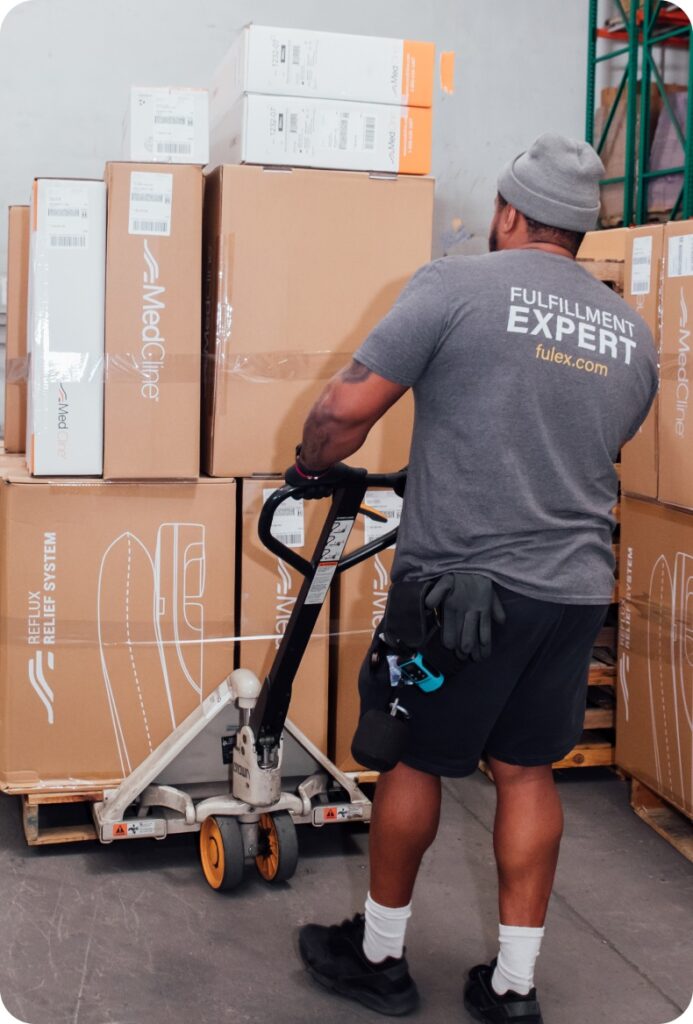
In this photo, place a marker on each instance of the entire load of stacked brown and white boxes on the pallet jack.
(128, 627)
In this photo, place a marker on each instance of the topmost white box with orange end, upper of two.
(324, 65)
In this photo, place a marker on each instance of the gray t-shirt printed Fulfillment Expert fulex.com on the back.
(529, 375)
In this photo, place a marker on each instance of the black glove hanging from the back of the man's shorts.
(469, 604)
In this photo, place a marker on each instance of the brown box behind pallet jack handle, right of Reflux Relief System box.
(269, 591)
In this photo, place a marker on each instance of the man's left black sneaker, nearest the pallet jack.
(335, 958)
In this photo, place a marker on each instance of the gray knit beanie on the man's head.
(555, 182)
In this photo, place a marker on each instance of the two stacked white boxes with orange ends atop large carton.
(292, 98)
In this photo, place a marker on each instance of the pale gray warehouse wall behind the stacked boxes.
(66, 67)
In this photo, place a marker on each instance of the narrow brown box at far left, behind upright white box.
(16, 342)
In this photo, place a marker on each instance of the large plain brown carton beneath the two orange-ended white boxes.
(299, 268)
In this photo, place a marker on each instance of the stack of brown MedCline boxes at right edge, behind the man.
(655, 730)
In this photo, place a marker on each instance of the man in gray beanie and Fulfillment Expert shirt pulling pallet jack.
(529, 376)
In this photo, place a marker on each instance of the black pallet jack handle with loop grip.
(270, 715)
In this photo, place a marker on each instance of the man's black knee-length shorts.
(525, 705)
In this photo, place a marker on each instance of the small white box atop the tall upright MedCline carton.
(167, 125)
